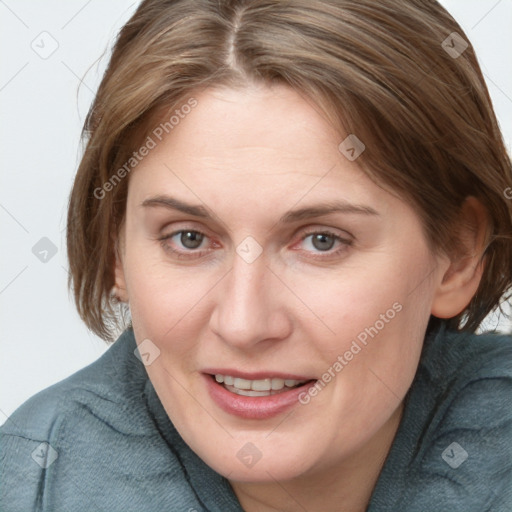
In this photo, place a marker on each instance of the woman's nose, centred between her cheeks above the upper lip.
(250, 306)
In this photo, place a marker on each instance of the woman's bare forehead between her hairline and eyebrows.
(269, 145)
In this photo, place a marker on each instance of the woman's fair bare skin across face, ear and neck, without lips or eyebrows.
(249, 156)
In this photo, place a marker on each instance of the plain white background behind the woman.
(42, 111)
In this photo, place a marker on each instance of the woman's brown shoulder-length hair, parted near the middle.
(392, 72)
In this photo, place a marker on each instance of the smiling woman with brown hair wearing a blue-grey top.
(303, 208)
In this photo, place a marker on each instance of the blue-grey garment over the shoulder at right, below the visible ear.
(453, 448)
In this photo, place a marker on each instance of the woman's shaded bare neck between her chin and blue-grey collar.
(346, 486)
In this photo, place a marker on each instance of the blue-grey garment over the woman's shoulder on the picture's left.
(91, 438)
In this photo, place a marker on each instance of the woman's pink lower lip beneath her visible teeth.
(254, 407)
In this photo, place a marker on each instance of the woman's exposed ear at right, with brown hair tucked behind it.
(463, 273)
